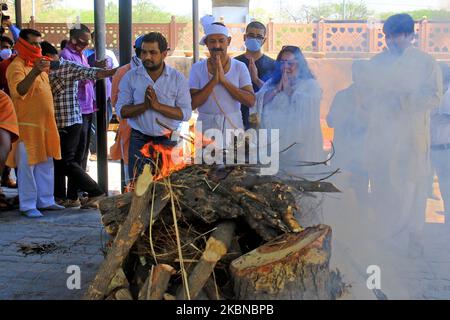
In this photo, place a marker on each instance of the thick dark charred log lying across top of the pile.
(210, 194)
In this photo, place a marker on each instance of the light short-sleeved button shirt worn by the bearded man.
(171, 89)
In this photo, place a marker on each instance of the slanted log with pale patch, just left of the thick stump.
(216, 247)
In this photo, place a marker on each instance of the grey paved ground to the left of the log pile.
(71, 237)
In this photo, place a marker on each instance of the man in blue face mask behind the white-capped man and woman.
(259, 65)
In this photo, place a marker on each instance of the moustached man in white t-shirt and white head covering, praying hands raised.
(219, 85)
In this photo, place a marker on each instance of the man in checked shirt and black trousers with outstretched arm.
(64, 83)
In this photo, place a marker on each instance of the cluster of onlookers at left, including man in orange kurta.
(54, 101)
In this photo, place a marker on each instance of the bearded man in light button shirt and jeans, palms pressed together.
(150, 95)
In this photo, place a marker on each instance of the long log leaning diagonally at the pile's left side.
(136, 222)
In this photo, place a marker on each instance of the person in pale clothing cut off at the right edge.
(440, 142)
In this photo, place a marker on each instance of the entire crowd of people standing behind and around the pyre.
(392, 124)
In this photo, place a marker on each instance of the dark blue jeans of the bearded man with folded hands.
(135, 158)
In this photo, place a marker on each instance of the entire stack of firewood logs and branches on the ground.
(209, 232)
